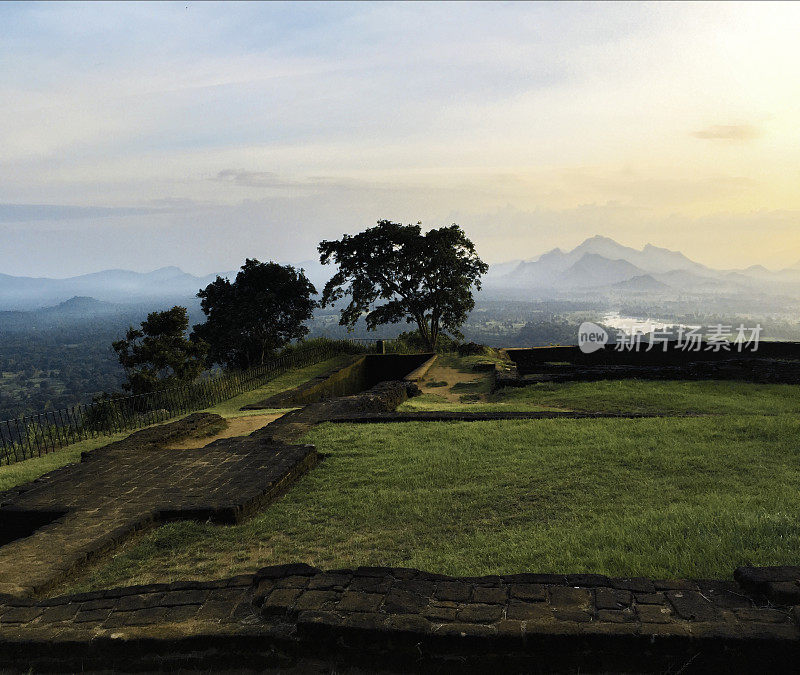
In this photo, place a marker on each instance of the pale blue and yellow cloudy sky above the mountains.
(139, 135)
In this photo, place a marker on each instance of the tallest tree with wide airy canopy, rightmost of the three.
(426, 279)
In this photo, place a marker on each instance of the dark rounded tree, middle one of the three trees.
(259, 312)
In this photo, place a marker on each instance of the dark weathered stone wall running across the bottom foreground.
(295, 618)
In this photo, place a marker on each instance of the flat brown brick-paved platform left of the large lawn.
(55, 524)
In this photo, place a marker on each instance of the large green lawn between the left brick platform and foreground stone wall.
(662, 497)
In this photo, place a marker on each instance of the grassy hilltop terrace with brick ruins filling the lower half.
(569, 526)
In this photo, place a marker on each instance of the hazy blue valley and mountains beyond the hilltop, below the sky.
(55, 351)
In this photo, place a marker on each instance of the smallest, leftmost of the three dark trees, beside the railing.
(158, 354)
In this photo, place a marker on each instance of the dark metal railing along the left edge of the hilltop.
(35, 435)
